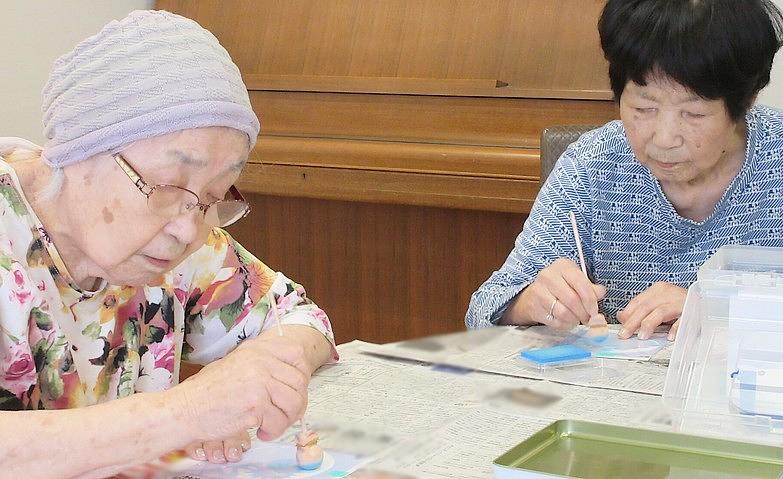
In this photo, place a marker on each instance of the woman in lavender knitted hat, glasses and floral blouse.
(114, 269)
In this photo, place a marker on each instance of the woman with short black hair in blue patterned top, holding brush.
(691, 166)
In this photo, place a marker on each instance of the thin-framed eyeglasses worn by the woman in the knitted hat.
(171, 200)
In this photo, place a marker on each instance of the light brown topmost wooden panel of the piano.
(507, 40)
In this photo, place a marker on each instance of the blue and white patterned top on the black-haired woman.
(632, 236)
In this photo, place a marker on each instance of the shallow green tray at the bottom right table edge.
(592, 451)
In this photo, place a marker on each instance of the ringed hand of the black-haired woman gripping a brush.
(560, 297)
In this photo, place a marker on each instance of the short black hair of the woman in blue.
(718, 49)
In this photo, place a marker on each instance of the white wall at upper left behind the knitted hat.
(32, 35)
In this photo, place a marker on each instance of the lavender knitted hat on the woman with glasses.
(149, 74)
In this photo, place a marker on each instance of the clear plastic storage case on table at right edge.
(725, 376)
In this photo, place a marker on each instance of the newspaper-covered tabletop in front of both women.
(414, 419)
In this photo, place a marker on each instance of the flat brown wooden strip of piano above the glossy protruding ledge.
(424, 119)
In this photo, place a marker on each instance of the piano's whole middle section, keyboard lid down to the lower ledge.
(476, 153)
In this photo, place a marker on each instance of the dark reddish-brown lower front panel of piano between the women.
(382, 272)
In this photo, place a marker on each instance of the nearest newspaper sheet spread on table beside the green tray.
(422, 422)
